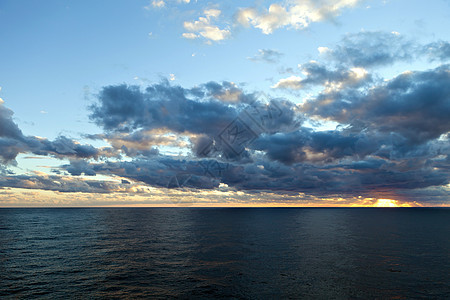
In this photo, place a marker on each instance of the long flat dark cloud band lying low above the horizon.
(348, 177)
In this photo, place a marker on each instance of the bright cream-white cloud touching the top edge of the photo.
(297, 14)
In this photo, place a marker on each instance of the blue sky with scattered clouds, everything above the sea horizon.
(224, 103)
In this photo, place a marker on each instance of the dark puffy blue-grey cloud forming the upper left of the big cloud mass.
(199, 113)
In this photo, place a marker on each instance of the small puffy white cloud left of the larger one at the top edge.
(203, 27)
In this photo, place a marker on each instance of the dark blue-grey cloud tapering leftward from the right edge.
(415, 105)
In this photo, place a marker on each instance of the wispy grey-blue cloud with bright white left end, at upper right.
(352, 61)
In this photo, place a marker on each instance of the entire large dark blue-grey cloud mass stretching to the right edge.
(382, 146)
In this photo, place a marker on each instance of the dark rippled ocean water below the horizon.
(232, 253)
